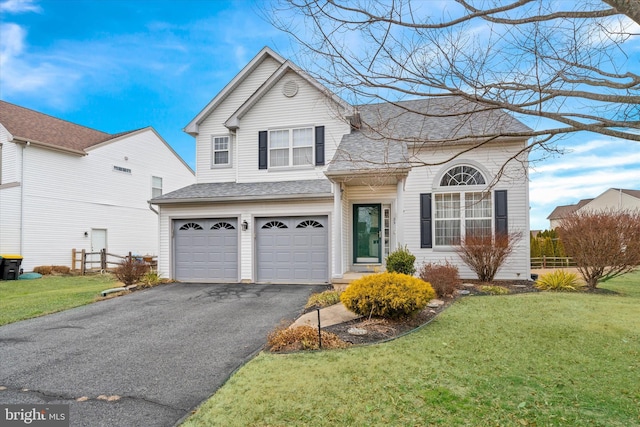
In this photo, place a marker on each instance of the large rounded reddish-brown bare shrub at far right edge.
(603, 244)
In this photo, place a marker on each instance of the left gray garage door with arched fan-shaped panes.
(206, 250)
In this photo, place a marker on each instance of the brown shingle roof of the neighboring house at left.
(29, 125)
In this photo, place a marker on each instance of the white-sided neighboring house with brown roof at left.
(65, 186)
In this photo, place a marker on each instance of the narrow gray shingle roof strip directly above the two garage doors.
(228, 191)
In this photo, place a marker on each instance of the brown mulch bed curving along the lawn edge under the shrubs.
(379, 330)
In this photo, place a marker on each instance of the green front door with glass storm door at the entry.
(366, 234)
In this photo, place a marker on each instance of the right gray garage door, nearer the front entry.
(292, 249)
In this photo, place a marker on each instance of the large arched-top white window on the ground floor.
(466, 212)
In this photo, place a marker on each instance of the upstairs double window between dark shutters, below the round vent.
(291, 147)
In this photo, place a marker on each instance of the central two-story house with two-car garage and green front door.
(295, 186)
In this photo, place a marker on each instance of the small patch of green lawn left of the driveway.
(24, 299)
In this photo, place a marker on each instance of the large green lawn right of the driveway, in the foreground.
(545, 359)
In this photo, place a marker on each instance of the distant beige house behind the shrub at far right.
(612, 199)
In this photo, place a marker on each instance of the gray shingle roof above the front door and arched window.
(389, 128)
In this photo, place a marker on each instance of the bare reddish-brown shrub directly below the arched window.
(486, 254)
